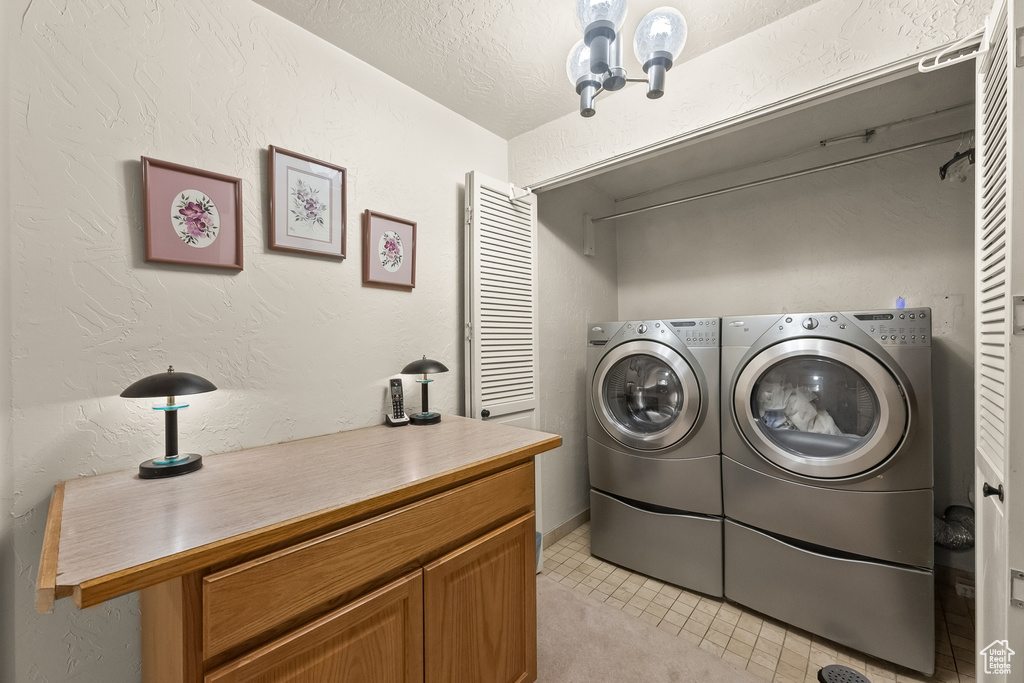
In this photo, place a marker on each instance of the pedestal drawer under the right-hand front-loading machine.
(881, 610)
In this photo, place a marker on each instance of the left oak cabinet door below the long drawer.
(376, 639)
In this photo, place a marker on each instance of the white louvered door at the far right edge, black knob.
(1000, 359)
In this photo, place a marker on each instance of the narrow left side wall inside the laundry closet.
(575, 290)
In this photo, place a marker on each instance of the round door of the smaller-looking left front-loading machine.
(647, 396)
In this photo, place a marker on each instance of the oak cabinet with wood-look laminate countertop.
(374, 557)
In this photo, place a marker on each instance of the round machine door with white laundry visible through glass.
(820, 408)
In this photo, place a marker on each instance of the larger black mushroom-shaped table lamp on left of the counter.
(169, 385)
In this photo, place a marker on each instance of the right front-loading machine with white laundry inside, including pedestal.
(827, 476)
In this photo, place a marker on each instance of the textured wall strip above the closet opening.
(821, 45)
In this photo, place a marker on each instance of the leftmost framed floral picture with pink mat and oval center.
(193, 218)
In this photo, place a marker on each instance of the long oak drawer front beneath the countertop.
(245, 602)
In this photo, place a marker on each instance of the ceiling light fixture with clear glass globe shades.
(595, 64)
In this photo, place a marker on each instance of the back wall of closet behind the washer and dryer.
(850, 239)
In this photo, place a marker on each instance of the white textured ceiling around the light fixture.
(501, 64)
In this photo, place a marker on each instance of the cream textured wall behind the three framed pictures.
(295, 345)
